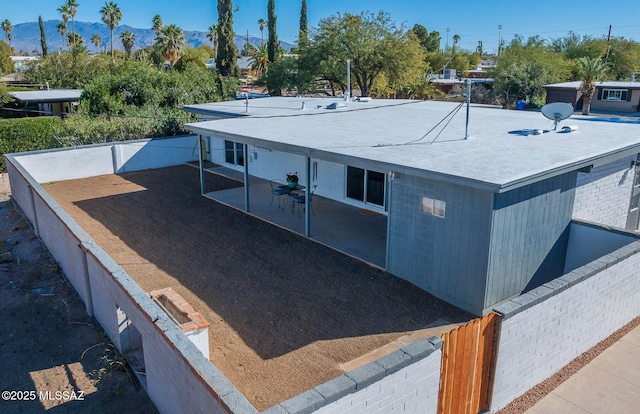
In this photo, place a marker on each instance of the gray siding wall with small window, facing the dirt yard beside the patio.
(444, 256)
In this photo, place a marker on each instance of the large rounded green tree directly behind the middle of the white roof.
(372, 42)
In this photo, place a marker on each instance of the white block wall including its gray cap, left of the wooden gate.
(404, 381)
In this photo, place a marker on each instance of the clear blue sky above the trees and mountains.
(471, 20)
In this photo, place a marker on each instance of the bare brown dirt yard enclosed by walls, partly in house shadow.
(285, 312)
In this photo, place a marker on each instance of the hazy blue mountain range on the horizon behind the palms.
(26, 37)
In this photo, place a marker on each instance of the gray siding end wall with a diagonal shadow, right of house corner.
(529, 234)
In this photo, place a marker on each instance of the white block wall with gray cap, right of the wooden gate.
(548, 327)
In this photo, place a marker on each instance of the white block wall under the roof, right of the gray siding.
(604, 194)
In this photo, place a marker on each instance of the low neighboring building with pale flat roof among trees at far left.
(49, 102)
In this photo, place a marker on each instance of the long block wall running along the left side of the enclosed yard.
(177, 374)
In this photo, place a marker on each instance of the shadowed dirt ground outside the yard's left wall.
(48, 343)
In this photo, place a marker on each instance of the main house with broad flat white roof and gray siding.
(474, 222)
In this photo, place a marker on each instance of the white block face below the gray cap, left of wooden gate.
(413, 389)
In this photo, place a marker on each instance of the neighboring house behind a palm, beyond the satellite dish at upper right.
(609, 96)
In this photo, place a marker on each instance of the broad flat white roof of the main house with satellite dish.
(390, 136)
